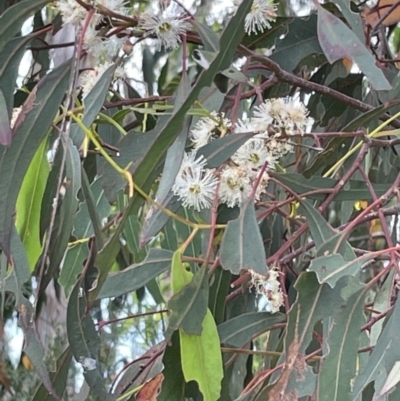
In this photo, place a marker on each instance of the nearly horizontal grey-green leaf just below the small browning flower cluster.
(242, 329)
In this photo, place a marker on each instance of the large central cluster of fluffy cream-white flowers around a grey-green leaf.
(273, 123)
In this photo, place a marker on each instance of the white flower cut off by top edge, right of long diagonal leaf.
(260, 15)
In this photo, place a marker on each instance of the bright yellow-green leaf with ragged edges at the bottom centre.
(201, 359)
